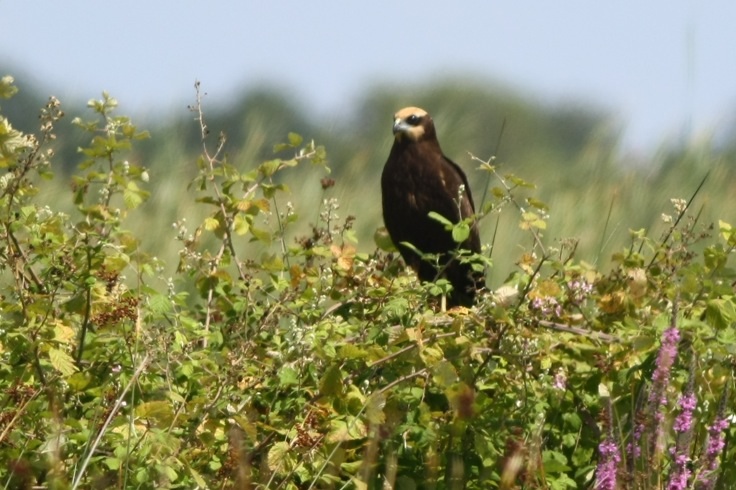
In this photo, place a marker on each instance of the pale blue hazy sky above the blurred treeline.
(664, 69)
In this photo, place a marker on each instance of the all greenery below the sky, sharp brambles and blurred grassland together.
(264, 341)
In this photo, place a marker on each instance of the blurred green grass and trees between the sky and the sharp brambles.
(595, 192)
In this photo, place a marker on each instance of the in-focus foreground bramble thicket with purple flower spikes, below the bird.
(278, 358)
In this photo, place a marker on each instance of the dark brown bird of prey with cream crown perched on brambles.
(416, 180)
